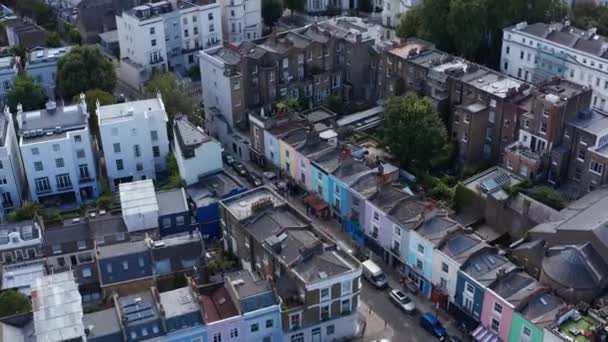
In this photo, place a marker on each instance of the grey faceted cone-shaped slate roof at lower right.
(577, 267)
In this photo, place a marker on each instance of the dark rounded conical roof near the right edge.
(572, 268)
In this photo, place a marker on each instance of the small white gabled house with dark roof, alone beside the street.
(196, 153)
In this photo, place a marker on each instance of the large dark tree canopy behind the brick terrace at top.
(473, 28)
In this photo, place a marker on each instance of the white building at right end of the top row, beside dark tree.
(241, 20)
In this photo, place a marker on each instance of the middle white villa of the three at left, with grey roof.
(58, 154)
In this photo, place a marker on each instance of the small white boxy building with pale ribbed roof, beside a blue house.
(139, 205)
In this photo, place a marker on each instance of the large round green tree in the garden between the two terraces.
(413, 131)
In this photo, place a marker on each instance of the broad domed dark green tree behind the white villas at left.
(84, 68)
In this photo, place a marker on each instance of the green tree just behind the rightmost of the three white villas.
(175, 99)
